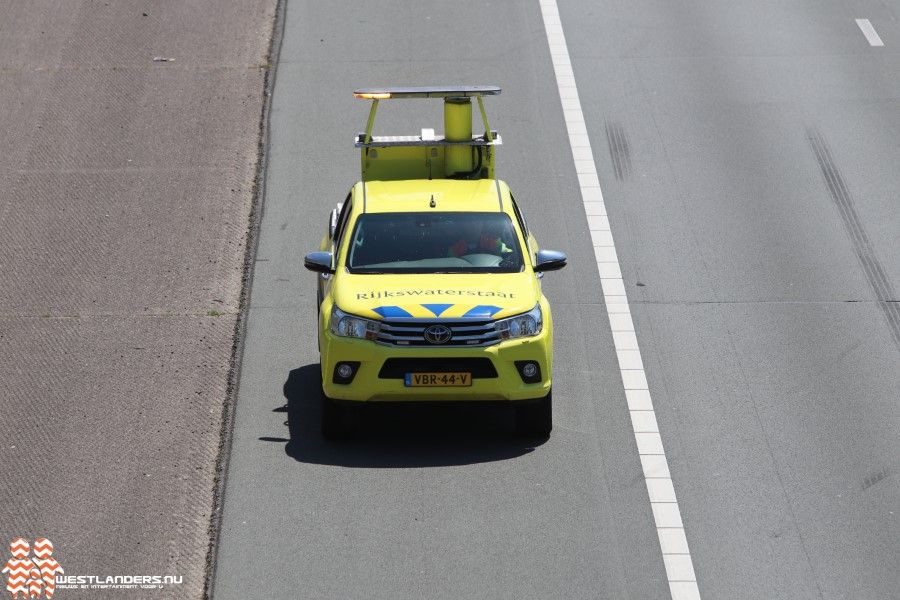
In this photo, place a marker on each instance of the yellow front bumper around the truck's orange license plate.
(379, 374)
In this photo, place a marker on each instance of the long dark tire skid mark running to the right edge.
(862, 246)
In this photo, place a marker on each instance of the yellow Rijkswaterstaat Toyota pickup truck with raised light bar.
(429, 279)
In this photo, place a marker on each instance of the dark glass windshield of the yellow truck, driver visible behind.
(434, 242)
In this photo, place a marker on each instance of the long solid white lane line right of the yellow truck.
(666, 514)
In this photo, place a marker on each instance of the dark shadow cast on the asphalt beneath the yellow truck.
(391, 436)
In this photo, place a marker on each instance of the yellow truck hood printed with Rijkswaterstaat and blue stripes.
(464, 295)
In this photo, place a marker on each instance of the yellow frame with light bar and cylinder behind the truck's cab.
(456, 155)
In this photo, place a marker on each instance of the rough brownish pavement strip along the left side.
(125, 188)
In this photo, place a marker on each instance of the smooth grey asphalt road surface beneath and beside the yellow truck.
(747, 152)
